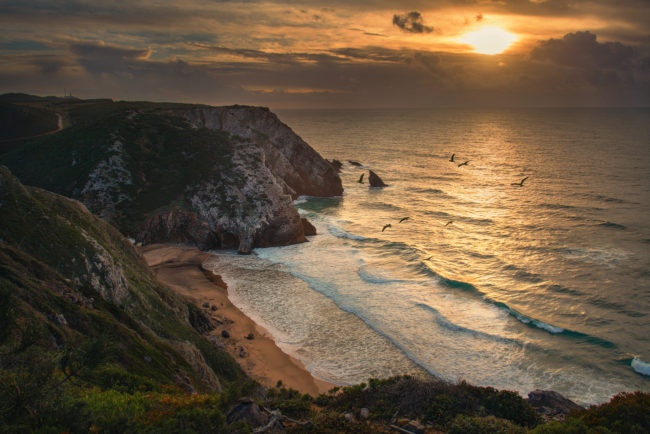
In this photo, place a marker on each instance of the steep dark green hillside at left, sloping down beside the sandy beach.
(79, 310)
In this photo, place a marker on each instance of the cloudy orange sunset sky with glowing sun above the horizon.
(337, 54)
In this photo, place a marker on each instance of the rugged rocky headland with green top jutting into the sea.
(215, 177)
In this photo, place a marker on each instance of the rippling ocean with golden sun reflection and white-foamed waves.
(540, 286)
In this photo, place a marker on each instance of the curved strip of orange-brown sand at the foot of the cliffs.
(179, 267)
